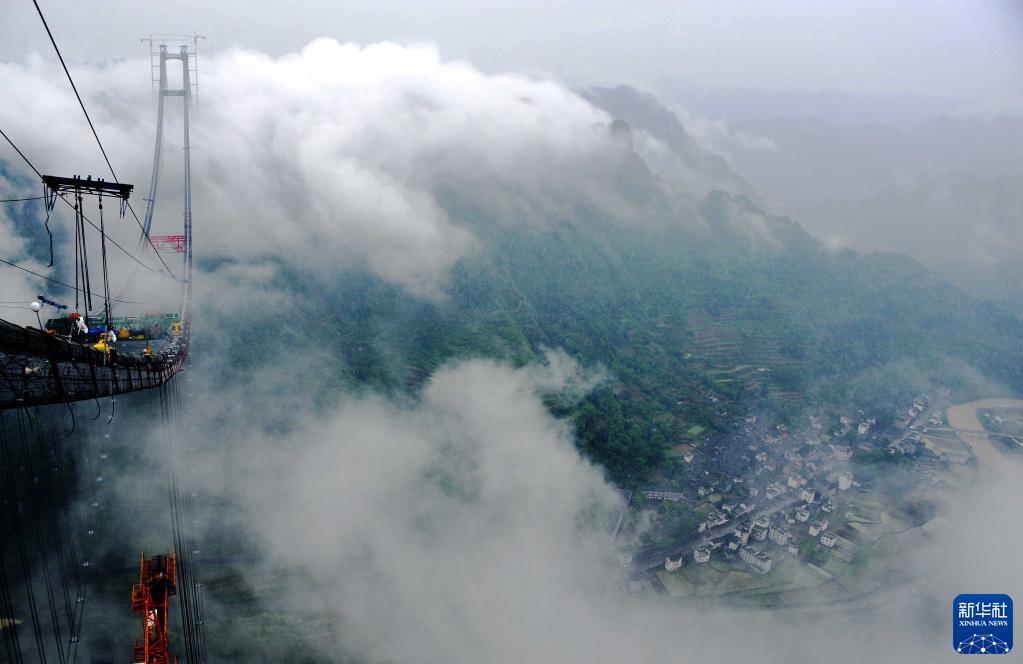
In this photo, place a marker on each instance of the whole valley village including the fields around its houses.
(794, 515)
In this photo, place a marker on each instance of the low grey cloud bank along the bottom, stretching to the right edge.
(462, 525)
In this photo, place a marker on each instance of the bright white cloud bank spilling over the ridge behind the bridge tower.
(334, 155)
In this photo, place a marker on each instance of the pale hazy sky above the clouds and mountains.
(970, 51)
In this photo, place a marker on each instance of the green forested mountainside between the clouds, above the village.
(669, 308)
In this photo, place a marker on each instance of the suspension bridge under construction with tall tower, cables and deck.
(90, 353)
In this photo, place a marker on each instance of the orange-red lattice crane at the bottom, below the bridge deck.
(151, 599)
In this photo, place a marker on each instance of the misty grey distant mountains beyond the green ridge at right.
(943, 190)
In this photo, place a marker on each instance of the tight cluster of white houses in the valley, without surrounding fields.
(793, 476)
